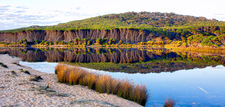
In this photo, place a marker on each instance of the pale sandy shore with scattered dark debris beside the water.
(18, 89)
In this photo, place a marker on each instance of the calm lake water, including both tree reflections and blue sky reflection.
(192, 79)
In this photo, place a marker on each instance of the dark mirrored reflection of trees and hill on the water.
(121, 60)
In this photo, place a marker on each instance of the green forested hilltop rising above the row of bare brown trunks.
(141, 20)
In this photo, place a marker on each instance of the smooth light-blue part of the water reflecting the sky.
(194, 87)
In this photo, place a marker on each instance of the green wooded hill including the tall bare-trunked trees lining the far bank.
(130, 27)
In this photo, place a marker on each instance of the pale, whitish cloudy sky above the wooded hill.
(24, 13)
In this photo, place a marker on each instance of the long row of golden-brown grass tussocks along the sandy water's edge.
(102, 83)
